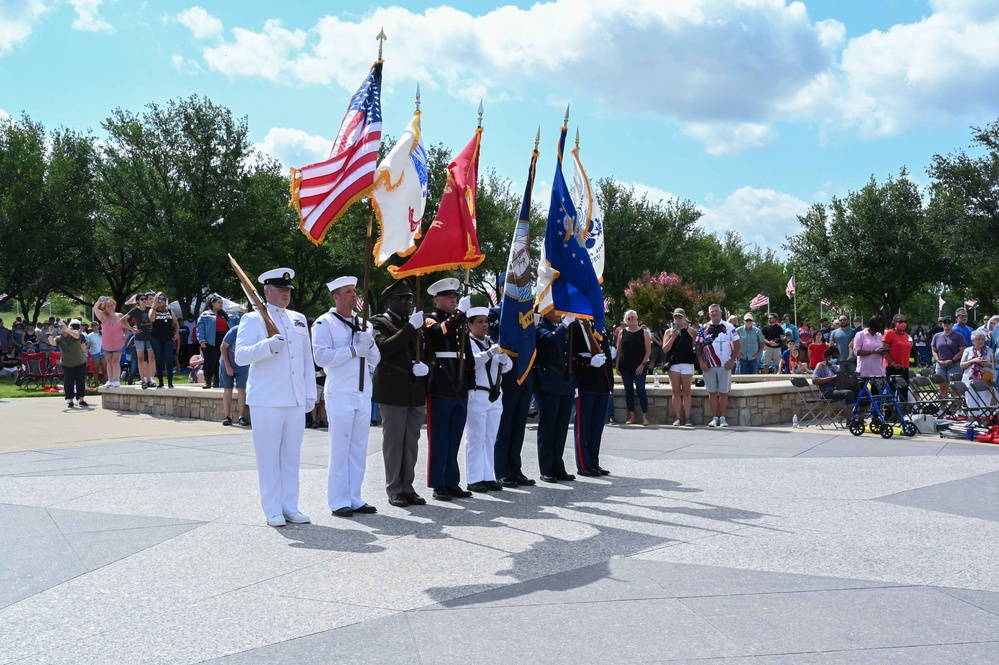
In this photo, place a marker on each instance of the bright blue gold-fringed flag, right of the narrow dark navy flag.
(566, 281)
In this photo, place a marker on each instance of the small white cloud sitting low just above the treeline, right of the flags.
(762, 216)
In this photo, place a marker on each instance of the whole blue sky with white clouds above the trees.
(752, 109)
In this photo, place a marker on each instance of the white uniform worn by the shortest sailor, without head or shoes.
(483, 415)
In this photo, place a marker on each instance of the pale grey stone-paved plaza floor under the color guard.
(730, 547)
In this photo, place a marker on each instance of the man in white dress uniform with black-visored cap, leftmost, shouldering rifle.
(280, 390)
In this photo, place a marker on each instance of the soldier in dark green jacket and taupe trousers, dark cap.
(400, 388)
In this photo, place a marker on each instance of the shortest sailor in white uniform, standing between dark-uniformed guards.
(484, 404)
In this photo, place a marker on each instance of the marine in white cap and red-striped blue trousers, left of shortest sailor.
(447, 392)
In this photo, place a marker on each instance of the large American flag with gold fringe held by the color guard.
(322, 192)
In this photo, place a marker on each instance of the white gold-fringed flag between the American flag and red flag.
(400, 194)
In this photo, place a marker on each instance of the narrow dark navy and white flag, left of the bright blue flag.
(516, 336)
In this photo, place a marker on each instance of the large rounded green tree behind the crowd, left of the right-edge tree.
(876, 247)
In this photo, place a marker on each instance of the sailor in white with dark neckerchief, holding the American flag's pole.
(344, 349)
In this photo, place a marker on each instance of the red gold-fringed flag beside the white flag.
(451, 241)
